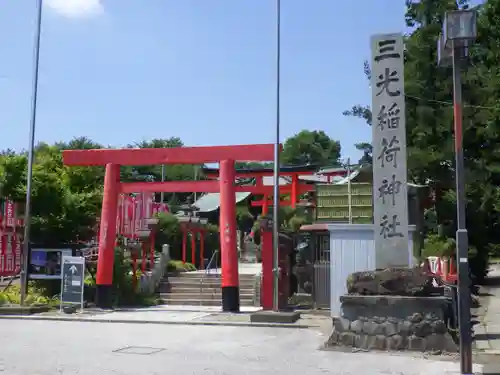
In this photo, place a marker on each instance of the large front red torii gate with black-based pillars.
(226, 156)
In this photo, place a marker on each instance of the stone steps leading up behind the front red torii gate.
(201, 289)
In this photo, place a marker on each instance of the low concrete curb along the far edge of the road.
(157, 322)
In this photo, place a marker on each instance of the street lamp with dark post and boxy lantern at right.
(459, 31)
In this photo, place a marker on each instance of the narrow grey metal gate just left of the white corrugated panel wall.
(321, 269)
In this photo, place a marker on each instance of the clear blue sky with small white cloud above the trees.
(120, 71)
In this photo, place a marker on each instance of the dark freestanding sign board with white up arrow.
(72, 281)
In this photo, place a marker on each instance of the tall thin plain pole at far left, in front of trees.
(31, 148)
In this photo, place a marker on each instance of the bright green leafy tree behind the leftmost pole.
(61, 213)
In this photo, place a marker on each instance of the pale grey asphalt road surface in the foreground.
(70, 348)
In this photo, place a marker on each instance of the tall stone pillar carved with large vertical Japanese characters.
(390, 207)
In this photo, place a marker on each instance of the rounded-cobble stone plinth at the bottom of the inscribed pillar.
(392, 323)
